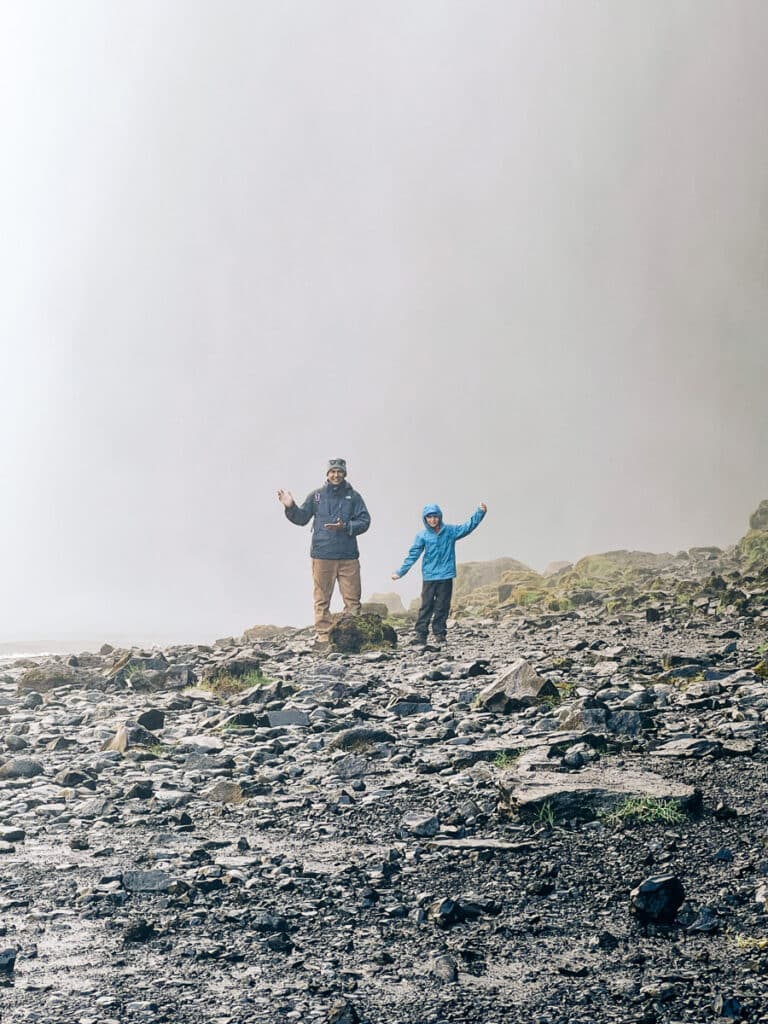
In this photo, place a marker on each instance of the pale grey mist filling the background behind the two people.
(498, 251)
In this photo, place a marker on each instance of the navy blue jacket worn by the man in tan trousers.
(332, 503)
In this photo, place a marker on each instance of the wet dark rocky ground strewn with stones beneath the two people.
(457, 834)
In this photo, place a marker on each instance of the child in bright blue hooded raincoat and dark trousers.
(438, 542)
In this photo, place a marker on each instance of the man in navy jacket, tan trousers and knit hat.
(340, 516)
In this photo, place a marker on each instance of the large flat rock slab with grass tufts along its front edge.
(595, 791)
